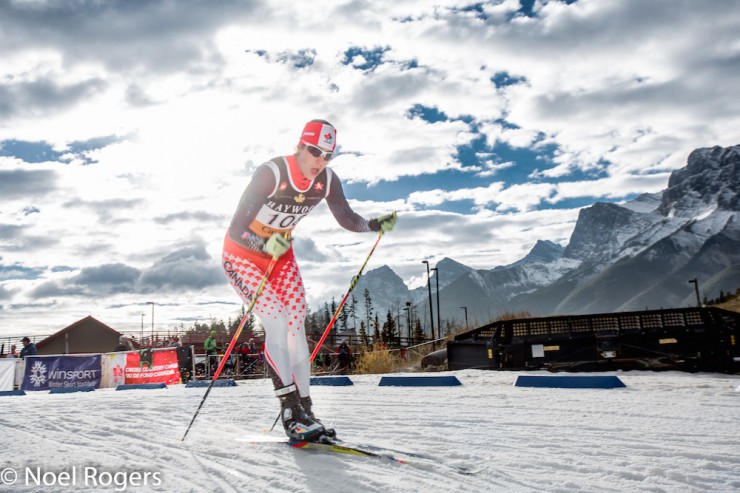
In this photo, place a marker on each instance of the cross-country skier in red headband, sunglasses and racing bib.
(283, 191)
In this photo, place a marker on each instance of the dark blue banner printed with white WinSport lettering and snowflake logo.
(53, 372)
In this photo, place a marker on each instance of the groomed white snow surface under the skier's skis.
(672, 432)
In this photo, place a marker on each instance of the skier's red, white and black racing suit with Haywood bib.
(275, 201)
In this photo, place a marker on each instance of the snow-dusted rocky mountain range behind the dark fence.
(642, 254)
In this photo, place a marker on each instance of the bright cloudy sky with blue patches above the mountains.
(128, 131)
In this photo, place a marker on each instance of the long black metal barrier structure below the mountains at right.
(689, 339)
